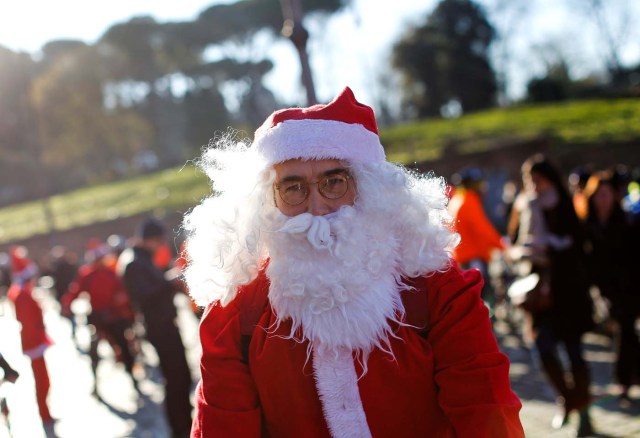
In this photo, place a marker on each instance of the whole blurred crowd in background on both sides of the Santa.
(574, 235)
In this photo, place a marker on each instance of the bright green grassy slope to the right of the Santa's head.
(567, 122)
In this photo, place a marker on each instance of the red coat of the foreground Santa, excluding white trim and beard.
(452, 382)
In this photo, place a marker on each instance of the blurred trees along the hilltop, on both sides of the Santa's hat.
(152, 93)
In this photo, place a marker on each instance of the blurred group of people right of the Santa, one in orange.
(570, 241)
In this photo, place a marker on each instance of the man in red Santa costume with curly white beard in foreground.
(333, 307)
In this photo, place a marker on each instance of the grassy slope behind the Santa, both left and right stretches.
(181, 188)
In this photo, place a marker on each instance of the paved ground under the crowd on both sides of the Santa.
(122, 413)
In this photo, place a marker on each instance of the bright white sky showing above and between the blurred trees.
(348, 50)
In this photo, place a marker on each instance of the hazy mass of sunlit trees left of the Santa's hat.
(84, 113)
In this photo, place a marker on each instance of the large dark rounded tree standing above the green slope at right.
(445, 61)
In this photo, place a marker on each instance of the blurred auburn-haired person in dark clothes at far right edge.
(612, 256)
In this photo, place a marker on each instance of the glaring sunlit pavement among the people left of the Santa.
(121, 412)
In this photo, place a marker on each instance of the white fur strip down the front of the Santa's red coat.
(337, 385)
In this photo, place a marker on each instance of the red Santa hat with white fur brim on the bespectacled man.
(343, 129)
